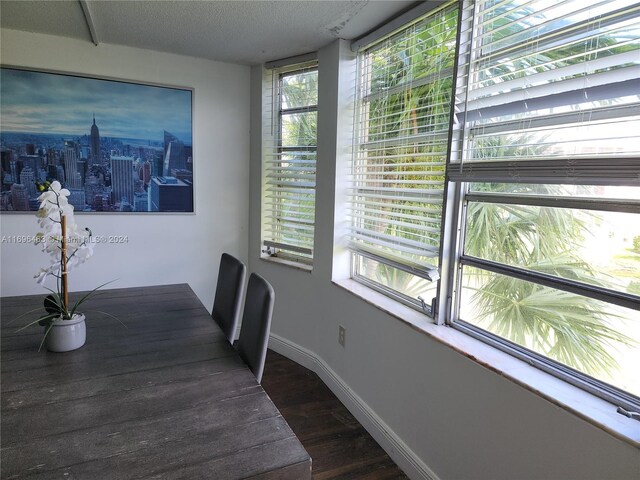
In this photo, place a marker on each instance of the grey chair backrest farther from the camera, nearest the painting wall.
(228, 299)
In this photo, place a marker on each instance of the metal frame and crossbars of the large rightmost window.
(613, 171)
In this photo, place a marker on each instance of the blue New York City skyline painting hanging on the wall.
(117, 146)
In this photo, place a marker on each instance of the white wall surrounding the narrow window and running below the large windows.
(460, 419)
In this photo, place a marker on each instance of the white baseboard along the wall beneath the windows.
(404, 457)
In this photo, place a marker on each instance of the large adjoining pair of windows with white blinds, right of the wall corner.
(540, 251)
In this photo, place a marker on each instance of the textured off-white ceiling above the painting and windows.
(246, 32)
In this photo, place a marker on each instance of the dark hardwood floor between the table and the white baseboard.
(339, 446)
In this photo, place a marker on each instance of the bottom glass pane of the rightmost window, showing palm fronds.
(588, 335)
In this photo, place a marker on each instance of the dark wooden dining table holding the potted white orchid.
(164, 396)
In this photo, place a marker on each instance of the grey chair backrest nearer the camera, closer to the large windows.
(256, 324)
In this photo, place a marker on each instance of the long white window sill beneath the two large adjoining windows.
(590, 408)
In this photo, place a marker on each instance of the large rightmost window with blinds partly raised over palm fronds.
(548, 170)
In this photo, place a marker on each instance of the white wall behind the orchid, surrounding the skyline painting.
(161, 248)
